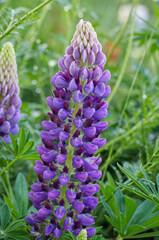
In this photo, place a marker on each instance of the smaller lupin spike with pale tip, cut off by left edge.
(10, 102)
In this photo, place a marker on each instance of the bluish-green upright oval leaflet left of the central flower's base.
(21, 194)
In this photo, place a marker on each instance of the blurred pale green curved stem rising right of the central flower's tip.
(129, 46)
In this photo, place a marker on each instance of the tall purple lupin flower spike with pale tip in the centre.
(67, 175)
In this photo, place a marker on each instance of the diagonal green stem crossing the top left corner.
(19, 21)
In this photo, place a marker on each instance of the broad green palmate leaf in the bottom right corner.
(131, 219)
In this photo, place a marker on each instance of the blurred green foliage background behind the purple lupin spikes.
(133, 61)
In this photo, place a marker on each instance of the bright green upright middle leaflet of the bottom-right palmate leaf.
(130, 208)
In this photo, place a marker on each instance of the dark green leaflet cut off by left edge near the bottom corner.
(5, 216)
